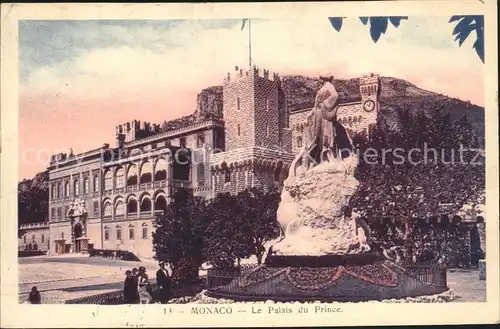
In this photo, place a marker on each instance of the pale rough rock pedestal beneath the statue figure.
(311, 211)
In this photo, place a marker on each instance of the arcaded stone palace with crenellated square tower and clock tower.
(241, 135)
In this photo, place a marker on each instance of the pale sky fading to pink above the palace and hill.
(79, 79)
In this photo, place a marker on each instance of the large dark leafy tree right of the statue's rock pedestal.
(418, 169)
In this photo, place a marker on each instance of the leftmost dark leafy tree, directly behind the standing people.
(178, 238)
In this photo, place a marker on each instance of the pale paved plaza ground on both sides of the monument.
(59, 278)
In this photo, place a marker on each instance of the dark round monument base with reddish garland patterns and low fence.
(347, 279)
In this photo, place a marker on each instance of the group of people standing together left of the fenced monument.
(138, 289)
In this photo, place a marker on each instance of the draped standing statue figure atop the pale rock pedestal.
(321, 132)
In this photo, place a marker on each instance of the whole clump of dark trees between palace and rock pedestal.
(222, 231)
